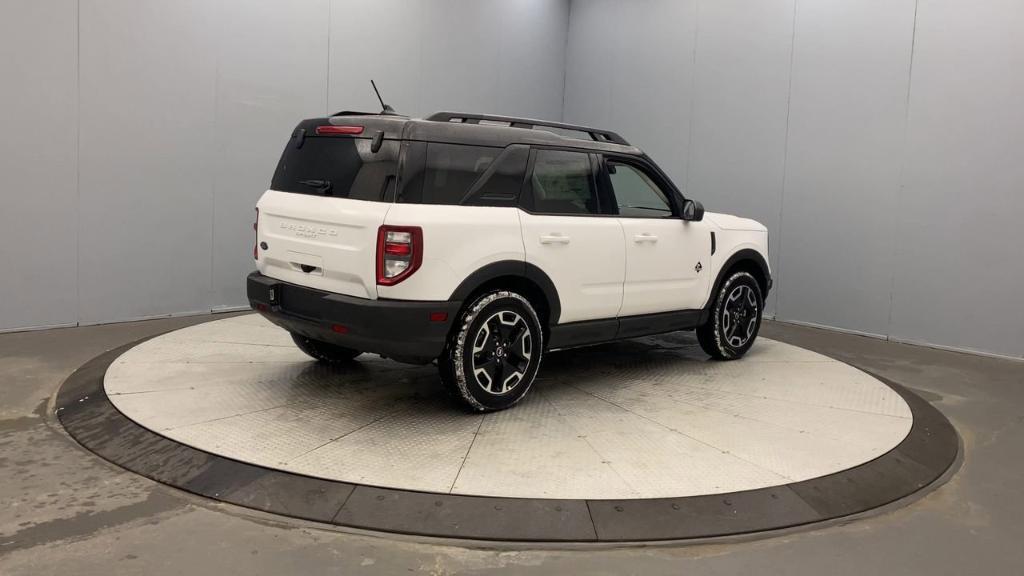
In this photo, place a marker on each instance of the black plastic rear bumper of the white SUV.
(399, 330)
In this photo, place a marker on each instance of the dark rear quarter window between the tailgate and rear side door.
(460, 175)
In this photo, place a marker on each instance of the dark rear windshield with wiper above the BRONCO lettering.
(342, 168)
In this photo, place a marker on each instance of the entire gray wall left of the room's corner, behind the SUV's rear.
(185, 110)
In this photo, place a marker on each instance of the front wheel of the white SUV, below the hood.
(736, 318)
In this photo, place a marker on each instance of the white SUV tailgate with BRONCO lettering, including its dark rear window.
(319, 221)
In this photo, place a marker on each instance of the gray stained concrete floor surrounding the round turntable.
(64, 511)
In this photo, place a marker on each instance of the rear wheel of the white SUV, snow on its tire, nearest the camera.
(493, 357)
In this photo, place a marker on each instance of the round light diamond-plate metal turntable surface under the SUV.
(646, 419)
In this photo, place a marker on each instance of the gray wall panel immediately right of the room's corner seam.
(631, 70)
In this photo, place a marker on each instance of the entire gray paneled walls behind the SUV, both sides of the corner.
(880, 142)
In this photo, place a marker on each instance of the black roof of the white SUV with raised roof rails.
(481, 130)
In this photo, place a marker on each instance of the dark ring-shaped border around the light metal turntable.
(927, 452)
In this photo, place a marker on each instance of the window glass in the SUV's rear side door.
(563, 183)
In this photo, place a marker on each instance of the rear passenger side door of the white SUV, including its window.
(566, 234)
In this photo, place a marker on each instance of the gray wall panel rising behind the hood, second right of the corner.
(741, 106)
